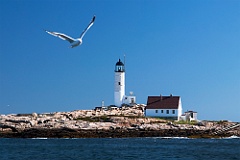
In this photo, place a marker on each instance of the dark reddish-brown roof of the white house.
(163, 102)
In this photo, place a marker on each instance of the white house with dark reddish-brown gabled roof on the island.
(164, 107)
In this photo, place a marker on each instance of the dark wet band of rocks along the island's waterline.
(118, 133)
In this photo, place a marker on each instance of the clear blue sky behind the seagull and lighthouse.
(180, 47)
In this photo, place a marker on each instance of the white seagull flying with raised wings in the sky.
(74, 41)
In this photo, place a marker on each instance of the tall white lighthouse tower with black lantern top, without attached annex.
(119, 84)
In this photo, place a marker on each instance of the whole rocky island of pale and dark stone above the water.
(110, 122)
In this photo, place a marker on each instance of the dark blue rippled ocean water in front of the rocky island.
(120, 149)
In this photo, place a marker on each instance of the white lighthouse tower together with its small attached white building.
(119, 87)
